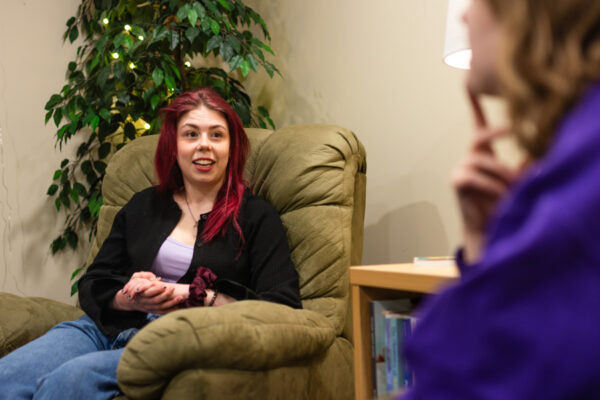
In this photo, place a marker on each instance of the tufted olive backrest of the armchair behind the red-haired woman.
(314, 175)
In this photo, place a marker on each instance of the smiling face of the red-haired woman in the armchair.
(203, 148)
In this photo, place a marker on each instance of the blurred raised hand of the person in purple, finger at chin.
(480, 181)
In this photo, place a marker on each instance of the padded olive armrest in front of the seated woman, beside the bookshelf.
(246, 335)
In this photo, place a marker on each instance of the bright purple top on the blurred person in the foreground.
(524, 322)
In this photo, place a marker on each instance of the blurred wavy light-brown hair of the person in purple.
(550, 54)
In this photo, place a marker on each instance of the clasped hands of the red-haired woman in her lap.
(146, 292)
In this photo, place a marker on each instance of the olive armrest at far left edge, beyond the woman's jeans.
(26, 318)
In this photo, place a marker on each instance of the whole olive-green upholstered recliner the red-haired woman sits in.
(315, 176)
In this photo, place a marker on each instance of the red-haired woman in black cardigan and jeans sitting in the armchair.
(198, 238)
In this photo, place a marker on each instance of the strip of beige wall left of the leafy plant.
(33, 62)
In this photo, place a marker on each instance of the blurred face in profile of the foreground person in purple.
(484, 36)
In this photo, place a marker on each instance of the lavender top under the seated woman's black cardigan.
(173, 260)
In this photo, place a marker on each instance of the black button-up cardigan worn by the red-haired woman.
(261, 270)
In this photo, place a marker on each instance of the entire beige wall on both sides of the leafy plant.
(372, 66)
